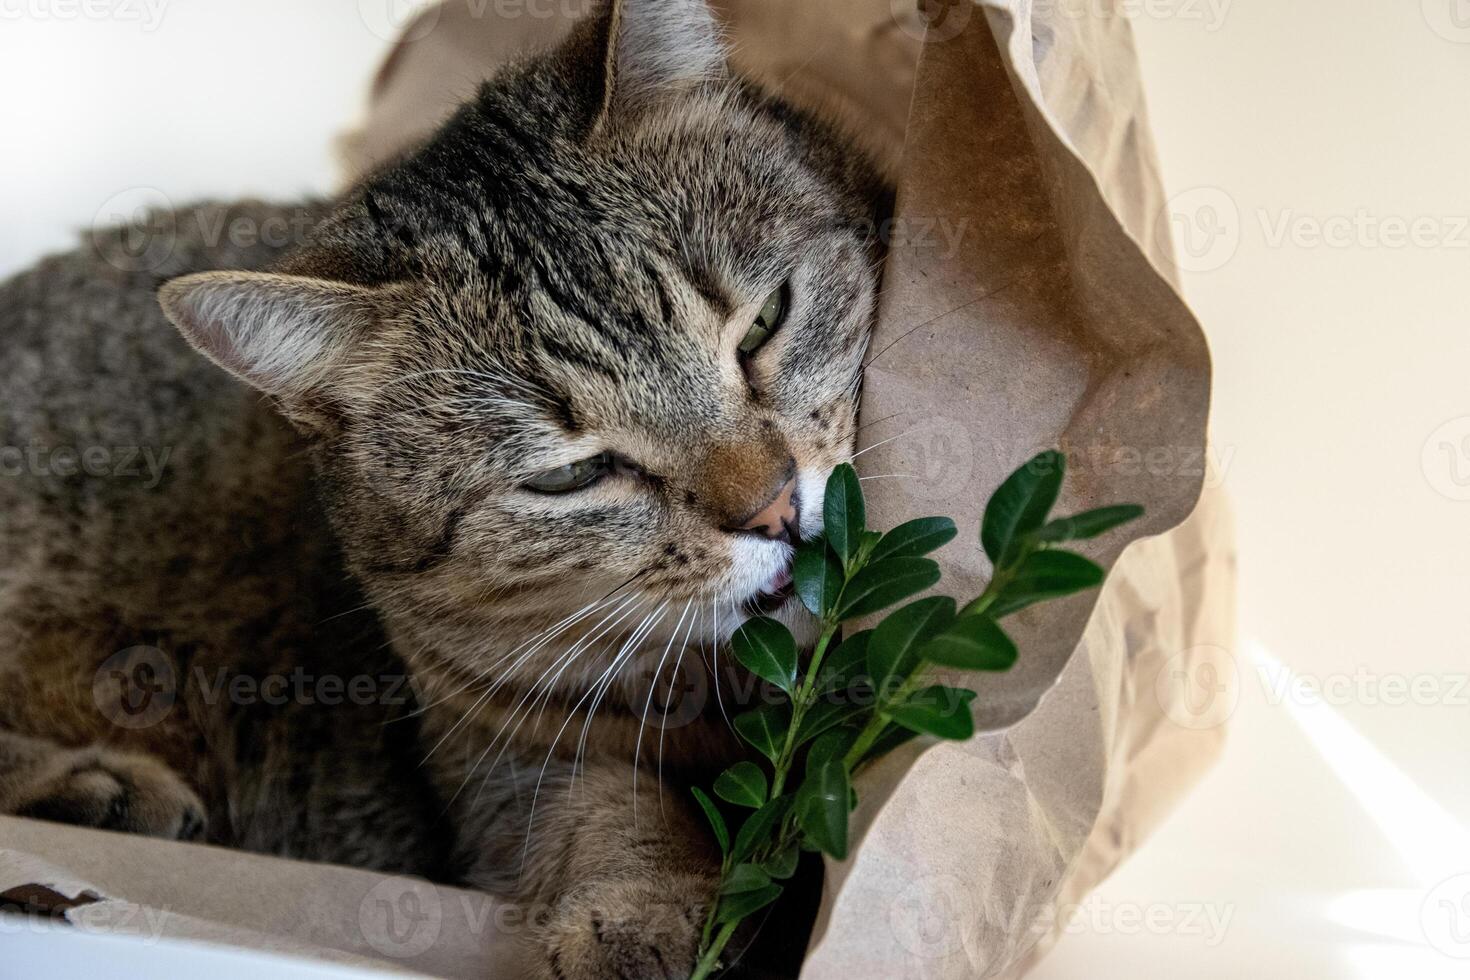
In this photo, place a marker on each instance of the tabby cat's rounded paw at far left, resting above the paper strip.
(120, 791)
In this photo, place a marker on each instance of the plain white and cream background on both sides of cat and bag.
(1302, 140)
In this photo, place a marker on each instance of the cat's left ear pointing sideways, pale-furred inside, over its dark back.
(286, 336)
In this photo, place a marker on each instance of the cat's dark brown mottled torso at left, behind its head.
(168, 584)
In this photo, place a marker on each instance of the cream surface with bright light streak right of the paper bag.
(1340, 361)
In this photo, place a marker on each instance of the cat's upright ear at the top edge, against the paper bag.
(637, 54)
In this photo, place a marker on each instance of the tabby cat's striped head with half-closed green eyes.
(592, 350)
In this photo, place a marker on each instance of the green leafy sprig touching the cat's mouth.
(850, 574)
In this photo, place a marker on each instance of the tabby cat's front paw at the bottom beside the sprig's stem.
(630, 931)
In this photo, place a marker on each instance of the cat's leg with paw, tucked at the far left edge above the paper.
(96, 787)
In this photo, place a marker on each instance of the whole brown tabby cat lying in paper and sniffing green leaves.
(556, 289)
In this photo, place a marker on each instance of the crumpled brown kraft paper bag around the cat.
(1027, 306)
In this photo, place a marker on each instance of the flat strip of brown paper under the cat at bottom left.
(168, 894)
